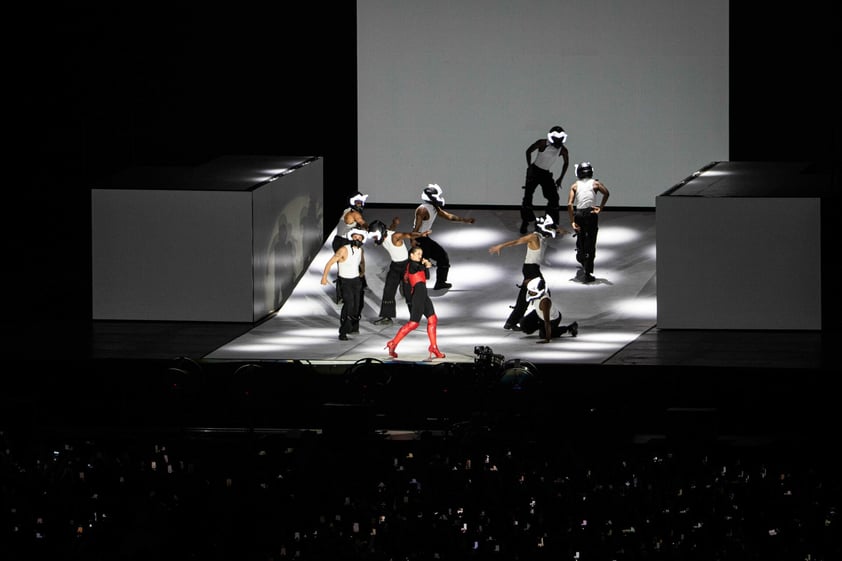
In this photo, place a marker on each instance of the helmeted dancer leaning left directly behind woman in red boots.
(394, 243)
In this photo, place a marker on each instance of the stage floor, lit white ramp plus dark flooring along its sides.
(616, 313)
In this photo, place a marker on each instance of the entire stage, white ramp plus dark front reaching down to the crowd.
(291, 371)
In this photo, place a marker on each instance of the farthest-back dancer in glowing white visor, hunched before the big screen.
(539, 172)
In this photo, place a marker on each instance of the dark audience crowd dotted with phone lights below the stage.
(460, 495)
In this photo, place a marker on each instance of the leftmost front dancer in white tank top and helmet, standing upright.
(350, 262)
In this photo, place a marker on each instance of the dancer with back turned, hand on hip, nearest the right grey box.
(584, 217)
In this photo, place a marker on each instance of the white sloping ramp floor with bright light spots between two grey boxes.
(611, 312)
